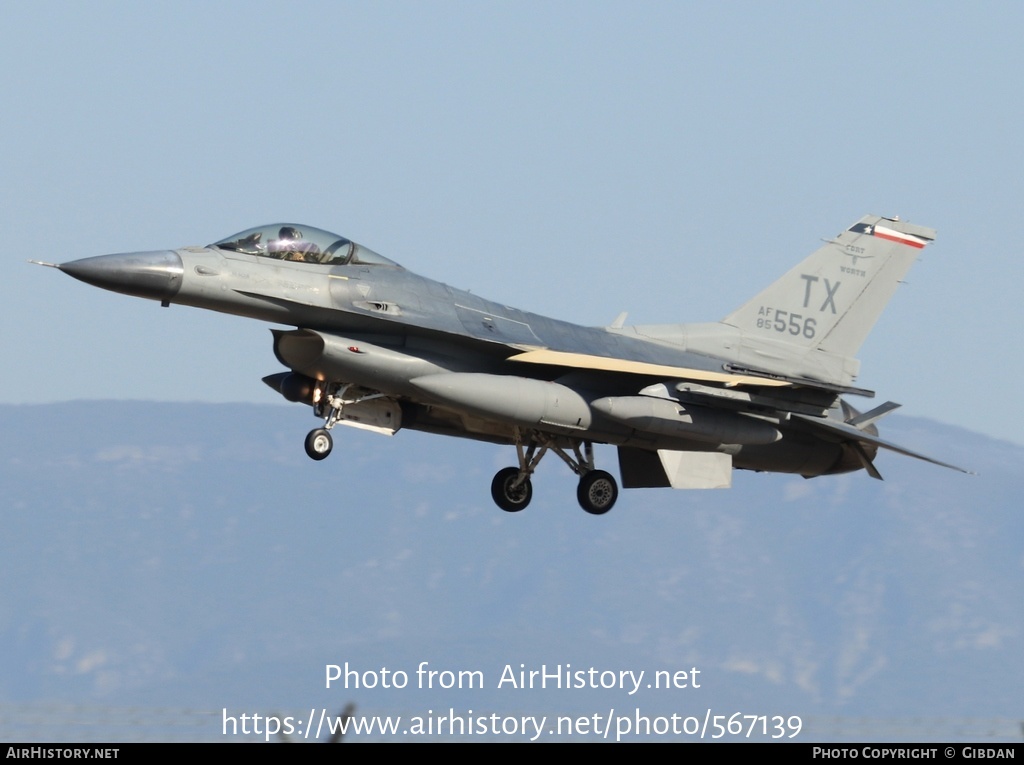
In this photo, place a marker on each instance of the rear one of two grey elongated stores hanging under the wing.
(677, 420)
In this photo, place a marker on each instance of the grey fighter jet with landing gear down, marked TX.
(376, 347)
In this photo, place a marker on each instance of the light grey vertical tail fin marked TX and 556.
(832, 301)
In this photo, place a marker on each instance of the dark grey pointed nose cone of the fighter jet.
(150, 275)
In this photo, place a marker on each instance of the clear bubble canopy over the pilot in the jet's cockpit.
(302, 244)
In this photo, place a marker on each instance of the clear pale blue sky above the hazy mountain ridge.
(573, 159)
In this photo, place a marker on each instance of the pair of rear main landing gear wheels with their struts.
(513, 489)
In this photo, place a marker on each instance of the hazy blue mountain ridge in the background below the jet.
(191, 556)
